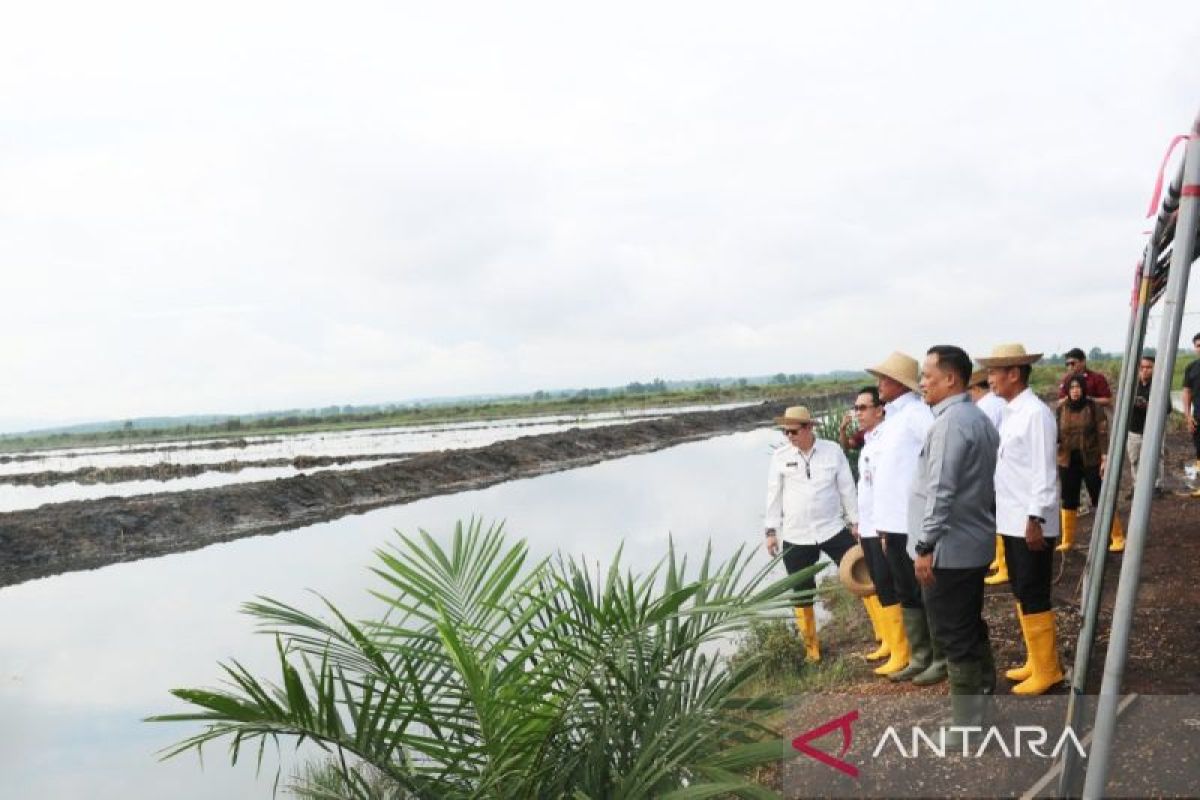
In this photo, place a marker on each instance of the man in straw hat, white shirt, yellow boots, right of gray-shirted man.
(1028, 512)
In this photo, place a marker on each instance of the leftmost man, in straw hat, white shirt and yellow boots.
(811, 507)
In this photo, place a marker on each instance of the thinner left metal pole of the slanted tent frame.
(1106, 509)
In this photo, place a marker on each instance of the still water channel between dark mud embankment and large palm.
(85, 657)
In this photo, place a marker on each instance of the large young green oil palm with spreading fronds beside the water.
(490, 677)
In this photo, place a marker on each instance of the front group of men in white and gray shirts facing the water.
(940, 477)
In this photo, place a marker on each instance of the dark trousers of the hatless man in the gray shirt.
(955, 605)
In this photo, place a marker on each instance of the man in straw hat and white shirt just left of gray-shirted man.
(897, 448)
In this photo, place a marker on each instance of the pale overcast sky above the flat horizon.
(243, 207)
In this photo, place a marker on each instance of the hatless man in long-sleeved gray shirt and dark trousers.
(952, 528)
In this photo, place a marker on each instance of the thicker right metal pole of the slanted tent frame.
(1153, 442)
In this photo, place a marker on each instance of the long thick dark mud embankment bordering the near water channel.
(91, 534)
